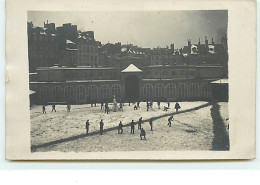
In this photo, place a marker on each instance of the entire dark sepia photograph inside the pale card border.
(121, 81)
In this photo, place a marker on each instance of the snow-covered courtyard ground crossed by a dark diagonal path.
(192, 129)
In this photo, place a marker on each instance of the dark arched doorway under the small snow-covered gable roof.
(132, 87)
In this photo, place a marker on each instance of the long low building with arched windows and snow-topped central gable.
(158, 83)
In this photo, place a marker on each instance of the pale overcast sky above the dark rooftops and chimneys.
(146, 28)
